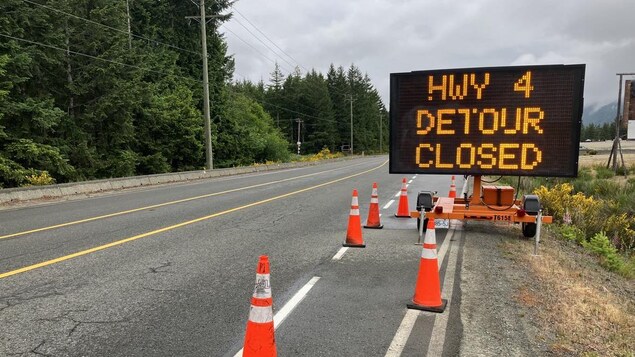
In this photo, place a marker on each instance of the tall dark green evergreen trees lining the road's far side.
(131, 106)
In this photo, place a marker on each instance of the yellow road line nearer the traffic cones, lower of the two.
(169, 228)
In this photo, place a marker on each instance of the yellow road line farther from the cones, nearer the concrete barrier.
(110, 215)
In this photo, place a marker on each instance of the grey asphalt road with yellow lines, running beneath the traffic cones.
(169, 270)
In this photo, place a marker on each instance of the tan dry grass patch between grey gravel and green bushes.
(587, 310)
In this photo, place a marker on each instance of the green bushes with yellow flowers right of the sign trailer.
(596, 210)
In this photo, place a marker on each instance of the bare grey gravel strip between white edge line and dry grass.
(494, 322)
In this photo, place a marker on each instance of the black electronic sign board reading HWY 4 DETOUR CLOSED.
(512, 121)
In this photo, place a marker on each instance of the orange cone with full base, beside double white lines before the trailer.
(428, 289)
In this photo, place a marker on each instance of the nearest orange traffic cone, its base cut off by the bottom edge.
(259, 338)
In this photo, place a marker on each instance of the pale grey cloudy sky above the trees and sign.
(386, 36)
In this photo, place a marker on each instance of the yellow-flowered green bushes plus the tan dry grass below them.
(581, 288)
